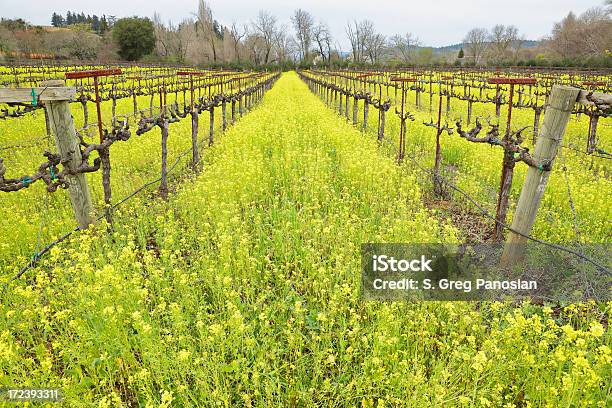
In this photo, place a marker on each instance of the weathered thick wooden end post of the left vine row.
(62, 125)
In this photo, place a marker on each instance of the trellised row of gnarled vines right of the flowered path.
(336, 88)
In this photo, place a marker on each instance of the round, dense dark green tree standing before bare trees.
(135, 37)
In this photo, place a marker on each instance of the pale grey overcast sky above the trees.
(434, 22)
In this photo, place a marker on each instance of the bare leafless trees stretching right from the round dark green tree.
(306, 40)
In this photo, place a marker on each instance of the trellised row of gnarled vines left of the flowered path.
(66, 169)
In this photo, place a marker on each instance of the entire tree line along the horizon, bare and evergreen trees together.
(304, 40)
